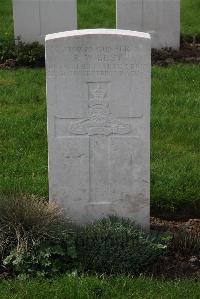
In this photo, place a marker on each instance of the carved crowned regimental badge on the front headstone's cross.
(100, 120)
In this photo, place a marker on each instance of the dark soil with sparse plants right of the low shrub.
(183, 257)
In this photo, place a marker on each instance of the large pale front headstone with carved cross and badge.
(98, 91)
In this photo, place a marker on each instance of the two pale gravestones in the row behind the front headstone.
(33, 19)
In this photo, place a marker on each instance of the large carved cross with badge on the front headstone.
(100, 126)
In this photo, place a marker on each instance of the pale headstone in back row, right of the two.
(160, 18)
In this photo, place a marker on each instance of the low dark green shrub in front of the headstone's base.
(117, 246)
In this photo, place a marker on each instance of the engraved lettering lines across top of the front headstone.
(100, 61)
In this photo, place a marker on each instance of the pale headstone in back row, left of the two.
(33, 19)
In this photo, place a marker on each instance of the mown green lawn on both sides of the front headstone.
(175, 158)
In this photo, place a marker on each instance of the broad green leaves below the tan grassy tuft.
(46, 260)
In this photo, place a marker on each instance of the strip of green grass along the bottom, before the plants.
(100, 288)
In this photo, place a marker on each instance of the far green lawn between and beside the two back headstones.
(101, 13)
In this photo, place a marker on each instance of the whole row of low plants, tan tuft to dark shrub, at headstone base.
(36, 239)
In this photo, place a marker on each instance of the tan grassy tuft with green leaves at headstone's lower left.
(35, 237)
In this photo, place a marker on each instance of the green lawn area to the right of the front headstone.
(175, 167)
